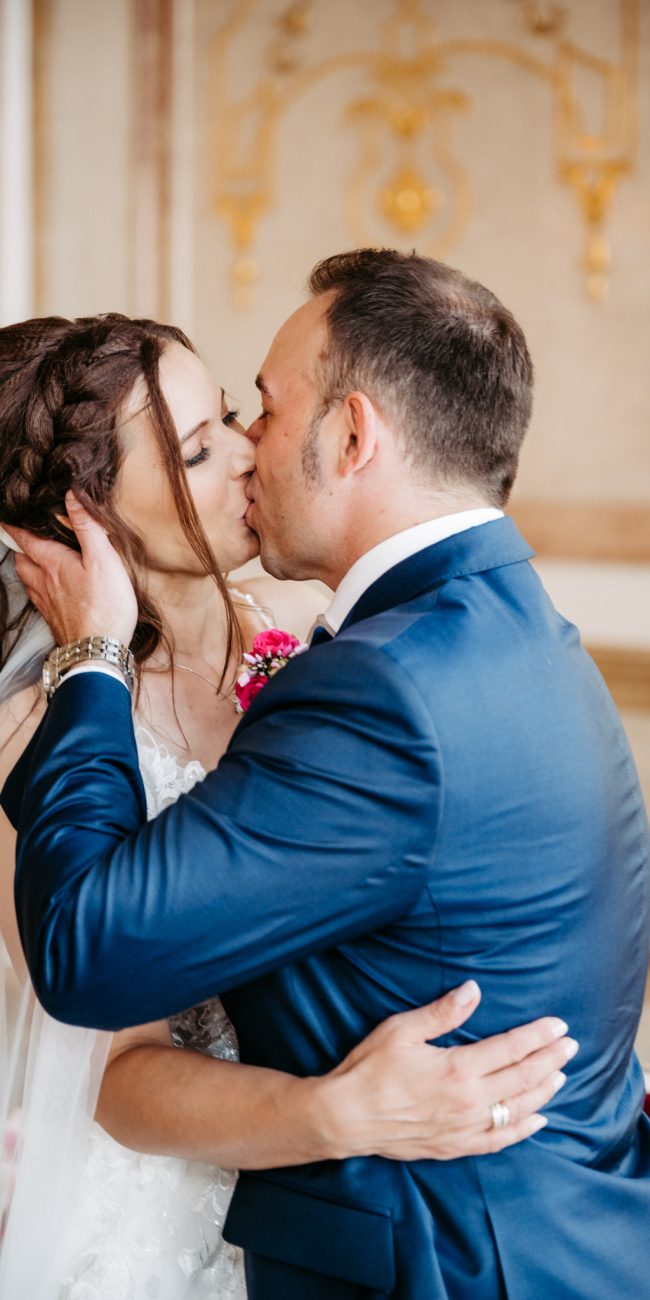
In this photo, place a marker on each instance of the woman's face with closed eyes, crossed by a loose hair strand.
(219, 460)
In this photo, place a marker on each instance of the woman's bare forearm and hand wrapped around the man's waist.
(395, 1095)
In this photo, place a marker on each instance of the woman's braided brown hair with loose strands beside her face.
(63, 387)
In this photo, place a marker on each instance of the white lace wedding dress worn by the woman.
(150, 1228)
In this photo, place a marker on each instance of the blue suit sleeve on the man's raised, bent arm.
(317, 827)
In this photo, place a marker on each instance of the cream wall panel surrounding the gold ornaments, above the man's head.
(591, 427)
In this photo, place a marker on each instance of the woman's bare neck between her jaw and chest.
(193, 614)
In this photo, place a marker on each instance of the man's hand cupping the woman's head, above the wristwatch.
(79, 596)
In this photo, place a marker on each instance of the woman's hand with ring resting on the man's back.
(396, 1095)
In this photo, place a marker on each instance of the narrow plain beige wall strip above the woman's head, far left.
(86, 188)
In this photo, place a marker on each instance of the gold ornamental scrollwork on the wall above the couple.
(410, 180)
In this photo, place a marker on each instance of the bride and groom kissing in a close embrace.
(439, 792)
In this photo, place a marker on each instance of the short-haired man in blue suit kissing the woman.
(440, 788)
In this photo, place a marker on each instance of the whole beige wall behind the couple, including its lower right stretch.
(136, 131)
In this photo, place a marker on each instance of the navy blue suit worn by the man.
(444, 791)
